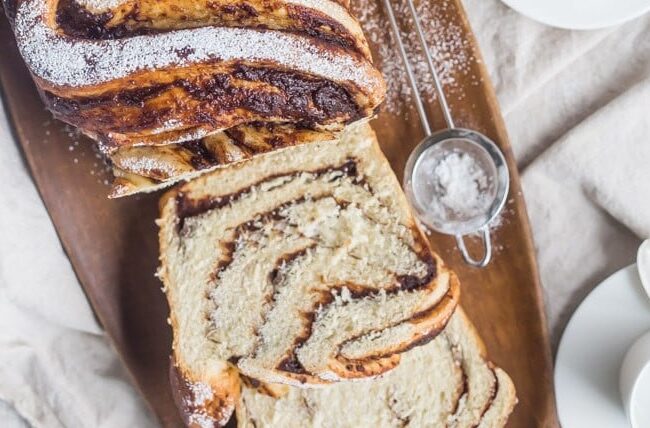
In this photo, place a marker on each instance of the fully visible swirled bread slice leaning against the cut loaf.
(302, 266)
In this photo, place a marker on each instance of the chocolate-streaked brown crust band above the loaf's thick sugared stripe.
(140, 17)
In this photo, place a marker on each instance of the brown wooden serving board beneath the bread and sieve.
(113, 244)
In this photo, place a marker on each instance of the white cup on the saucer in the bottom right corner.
(634, 382)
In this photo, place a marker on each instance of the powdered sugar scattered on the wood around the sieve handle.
(453, 54)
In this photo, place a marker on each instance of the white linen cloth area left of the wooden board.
(56, 367)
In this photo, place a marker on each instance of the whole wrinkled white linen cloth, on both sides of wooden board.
(577, 107)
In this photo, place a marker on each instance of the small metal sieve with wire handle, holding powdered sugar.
(480, 156)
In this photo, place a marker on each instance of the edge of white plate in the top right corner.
(580, 14)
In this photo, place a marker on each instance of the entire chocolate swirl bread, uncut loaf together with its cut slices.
(301, 290)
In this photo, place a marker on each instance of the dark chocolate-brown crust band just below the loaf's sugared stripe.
(168, 106)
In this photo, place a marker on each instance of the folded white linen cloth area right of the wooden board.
(576, 108)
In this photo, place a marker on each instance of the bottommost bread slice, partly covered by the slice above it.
(446, 383)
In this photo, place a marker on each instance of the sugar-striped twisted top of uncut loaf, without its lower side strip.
(157, 72)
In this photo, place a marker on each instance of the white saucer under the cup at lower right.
(592, 349)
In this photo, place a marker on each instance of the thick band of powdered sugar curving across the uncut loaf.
(65, 61)
